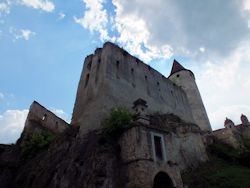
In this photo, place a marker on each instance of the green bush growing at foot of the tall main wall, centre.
(118, 119)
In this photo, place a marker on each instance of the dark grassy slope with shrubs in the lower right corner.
(228, 168)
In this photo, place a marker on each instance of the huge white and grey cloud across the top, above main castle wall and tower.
(161, 28)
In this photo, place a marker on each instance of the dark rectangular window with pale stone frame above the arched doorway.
(158, 147)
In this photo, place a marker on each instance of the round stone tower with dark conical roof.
(186, 80)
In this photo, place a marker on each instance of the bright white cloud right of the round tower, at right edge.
(225, 85)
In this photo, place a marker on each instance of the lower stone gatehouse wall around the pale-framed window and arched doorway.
(137, 155)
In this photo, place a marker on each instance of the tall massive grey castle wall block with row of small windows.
(112, 77)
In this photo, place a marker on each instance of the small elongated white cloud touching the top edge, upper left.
(44, 5)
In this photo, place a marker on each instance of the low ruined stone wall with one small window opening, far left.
(39, 118)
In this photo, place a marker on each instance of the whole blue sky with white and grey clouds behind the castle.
(43, 44)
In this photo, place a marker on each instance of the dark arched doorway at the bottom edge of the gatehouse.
(162, 180)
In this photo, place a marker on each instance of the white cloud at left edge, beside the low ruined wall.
(11, 125)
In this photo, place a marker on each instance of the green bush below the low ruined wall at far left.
(36, 143)
